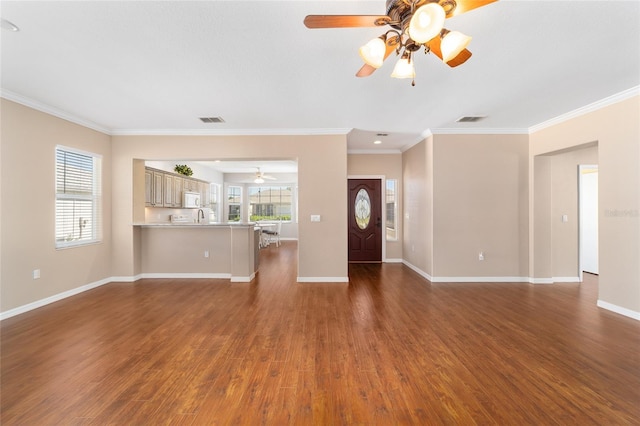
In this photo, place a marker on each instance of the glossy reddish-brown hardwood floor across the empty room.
(387, 348)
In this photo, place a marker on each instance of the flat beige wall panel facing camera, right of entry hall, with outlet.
(480, 204)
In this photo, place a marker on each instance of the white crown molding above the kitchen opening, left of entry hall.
(229, 132)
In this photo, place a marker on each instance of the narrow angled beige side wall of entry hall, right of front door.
(417, 200)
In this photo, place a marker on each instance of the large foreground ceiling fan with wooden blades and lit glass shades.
(415, 24)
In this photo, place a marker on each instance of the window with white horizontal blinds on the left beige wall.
(78, 198)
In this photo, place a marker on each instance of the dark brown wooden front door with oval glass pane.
(365, 220)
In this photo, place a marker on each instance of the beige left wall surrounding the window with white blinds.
(29, 139)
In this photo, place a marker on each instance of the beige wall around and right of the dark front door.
(389, 166)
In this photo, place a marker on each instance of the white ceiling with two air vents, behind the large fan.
(156, 66)
